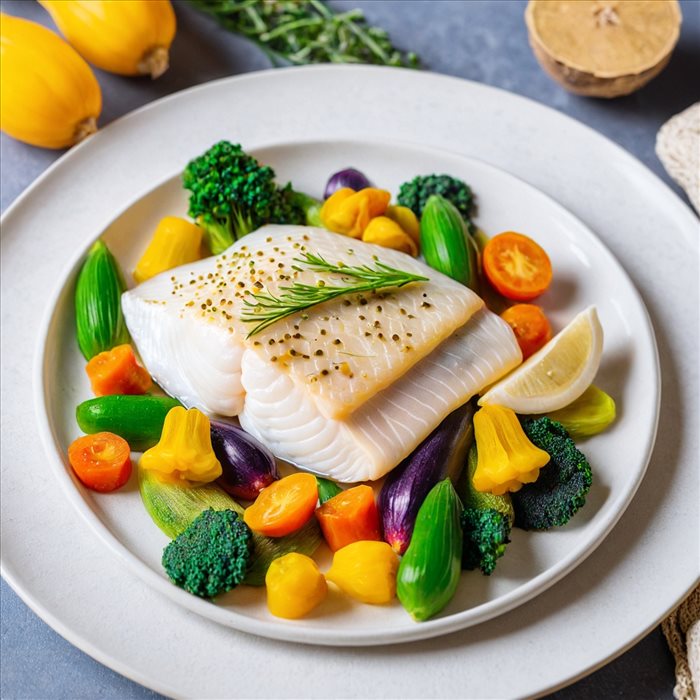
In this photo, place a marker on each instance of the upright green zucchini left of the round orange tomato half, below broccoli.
(445, 242)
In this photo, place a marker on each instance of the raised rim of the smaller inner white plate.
(272, 629)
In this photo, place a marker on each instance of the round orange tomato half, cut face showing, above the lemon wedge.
(516, 266)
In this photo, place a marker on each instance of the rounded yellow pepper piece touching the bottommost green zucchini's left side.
(366, 571)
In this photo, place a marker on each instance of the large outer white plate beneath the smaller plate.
(614, 597)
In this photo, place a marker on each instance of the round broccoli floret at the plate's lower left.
(212, 555)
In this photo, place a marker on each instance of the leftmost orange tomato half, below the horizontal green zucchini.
(101, 461)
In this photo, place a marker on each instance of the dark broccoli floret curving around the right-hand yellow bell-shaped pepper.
(562, 486)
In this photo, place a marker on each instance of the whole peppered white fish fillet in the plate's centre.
(349, 387)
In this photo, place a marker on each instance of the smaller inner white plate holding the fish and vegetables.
(534, 560)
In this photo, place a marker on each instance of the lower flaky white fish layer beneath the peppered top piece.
(387, 428)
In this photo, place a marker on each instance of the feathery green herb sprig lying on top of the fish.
(266, 309)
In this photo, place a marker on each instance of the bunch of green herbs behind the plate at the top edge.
(307, 31)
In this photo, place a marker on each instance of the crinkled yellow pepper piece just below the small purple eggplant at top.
(348, 212)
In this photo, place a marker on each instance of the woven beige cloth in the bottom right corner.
(682, 631)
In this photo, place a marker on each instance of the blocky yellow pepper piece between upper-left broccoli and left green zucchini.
(175, 242)
